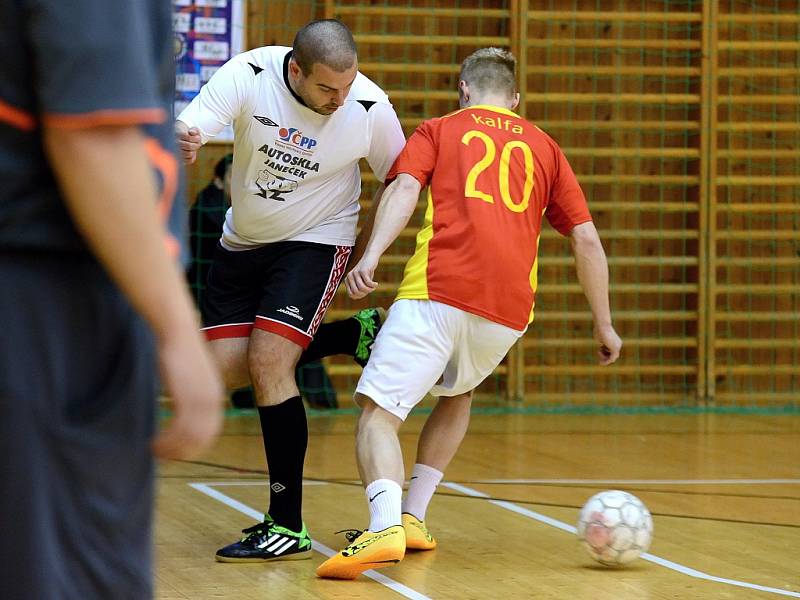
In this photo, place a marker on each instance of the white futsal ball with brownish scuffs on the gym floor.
(615, 527)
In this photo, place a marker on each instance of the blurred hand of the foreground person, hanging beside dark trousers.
(194, 384)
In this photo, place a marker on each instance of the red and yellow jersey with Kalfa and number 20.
(492, 176)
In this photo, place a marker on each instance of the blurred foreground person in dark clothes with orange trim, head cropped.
(93, 300)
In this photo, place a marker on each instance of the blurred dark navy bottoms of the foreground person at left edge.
(78, 384)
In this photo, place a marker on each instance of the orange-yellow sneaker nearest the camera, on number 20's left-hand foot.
(366, 550)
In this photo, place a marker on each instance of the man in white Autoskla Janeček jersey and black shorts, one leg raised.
(303, 117)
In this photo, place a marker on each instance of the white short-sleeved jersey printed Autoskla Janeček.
(295, 172)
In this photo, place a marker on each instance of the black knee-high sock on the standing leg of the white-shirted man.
(285, 432)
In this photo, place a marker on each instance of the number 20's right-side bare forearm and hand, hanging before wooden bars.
(592, 267)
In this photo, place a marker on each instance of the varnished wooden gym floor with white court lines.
(724, 491)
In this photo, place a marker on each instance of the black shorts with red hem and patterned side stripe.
(284, 288)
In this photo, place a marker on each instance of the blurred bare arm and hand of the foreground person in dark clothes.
(110, 191)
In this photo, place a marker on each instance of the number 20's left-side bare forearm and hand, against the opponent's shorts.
(395, 209)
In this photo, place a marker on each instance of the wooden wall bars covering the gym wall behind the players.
(682, 121)
